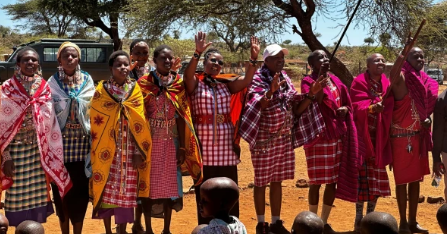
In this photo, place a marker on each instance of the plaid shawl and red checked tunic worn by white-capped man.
(273, 133)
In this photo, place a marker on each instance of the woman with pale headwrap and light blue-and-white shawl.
(72, 90)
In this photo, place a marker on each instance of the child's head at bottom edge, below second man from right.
(379, 223)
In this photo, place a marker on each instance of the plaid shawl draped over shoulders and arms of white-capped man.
(305, 128)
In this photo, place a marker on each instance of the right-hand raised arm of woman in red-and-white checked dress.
(250, 70)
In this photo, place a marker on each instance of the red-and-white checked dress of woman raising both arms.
(215, 152)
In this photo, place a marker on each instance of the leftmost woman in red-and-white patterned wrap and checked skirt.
(30, 144)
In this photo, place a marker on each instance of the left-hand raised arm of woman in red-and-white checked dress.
(189, 76)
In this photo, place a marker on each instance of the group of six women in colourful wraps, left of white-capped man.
(124, 144)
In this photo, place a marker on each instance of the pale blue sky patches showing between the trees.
(327, 28)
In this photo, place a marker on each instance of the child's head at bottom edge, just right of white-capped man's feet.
(307, 222)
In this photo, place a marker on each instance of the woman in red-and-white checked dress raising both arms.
(212, 113)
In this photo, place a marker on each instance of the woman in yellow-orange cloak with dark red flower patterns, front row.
(121, 141)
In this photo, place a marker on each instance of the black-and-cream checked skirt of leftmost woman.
(29, 190)
